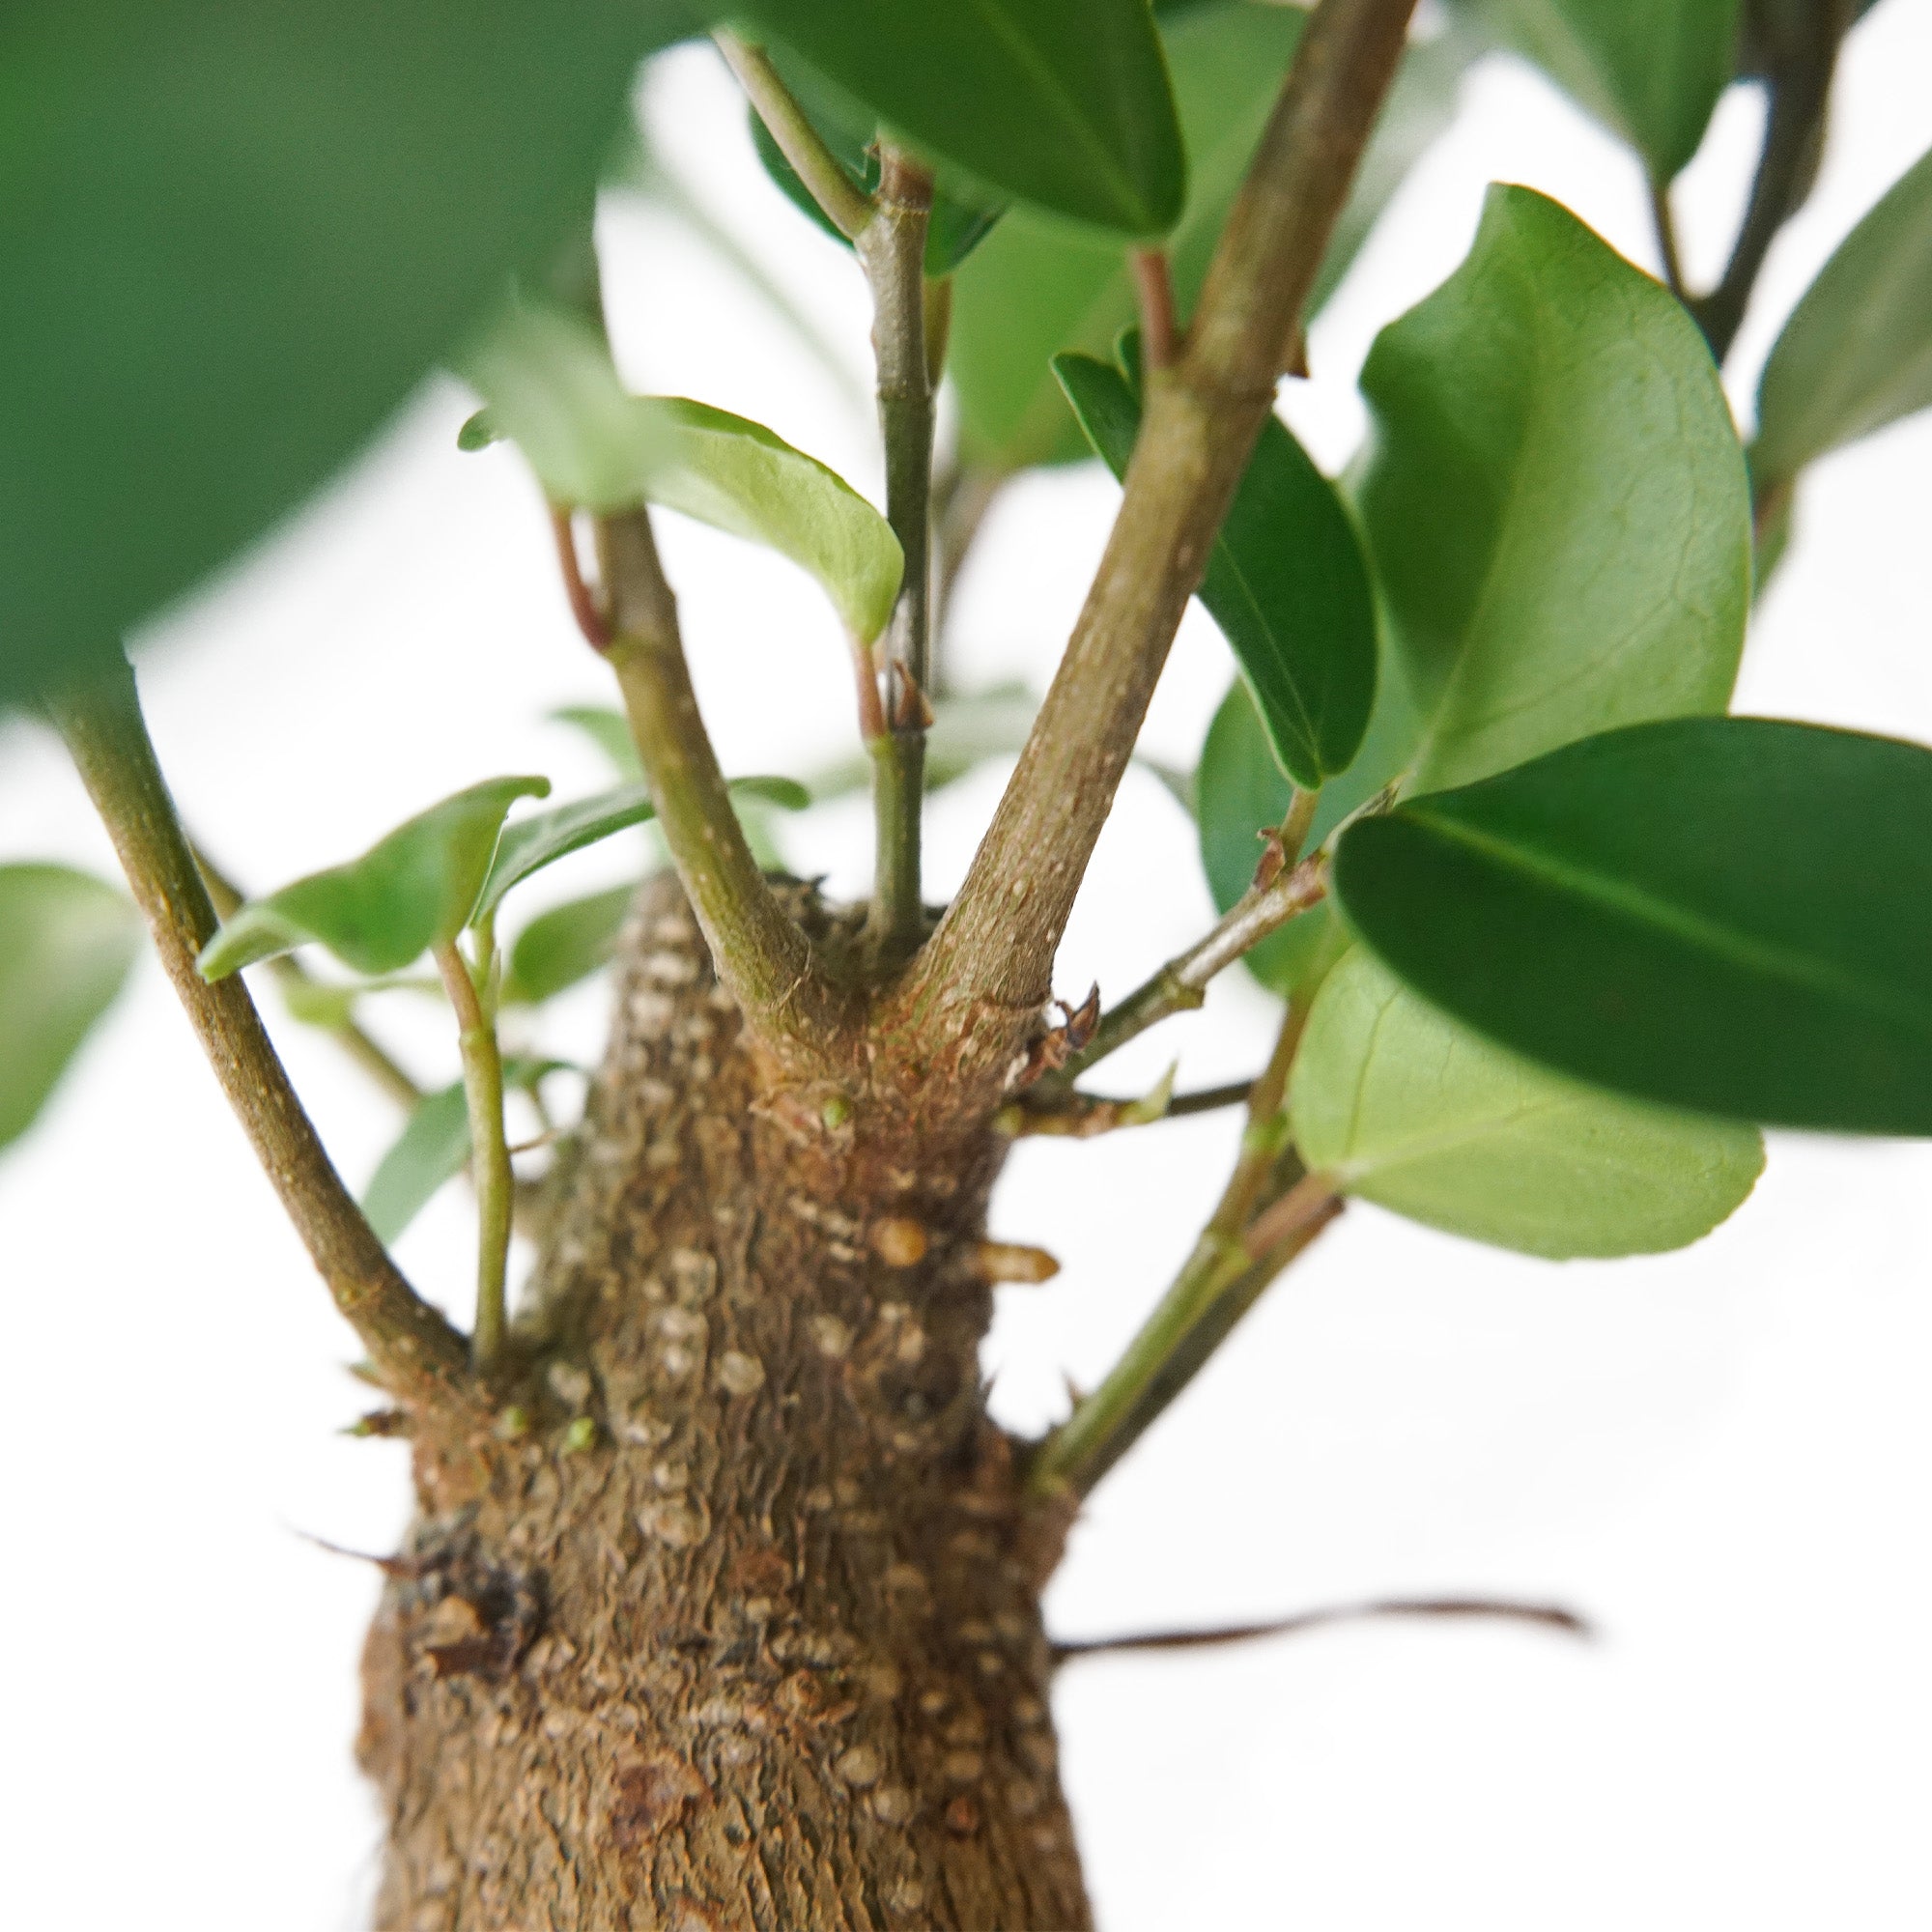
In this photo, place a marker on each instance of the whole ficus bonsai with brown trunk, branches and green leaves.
(722, 1606)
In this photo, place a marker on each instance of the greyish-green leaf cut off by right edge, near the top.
(1858, 351)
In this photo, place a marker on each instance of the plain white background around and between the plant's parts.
(1722, 1456)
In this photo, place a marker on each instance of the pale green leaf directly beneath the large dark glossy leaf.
(1421, 1116)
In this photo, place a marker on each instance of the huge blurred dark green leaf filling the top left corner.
(235, 241)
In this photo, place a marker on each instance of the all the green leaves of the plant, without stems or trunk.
(1585, 930)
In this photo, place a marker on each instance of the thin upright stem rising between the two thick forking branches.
(894, 256)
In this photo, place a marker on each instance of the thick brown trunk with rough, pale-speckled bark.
(766, 1649)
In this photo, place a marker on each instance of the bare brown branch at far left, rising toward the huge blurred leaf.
(416, 1355)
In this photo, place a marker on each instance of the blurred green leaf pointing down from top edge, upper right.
(1651, 71)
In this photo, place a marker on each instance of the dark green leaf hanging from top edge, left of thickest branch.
(1062, 103)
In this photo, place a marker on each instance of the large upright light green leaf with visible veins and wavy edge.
(1554, 497)
